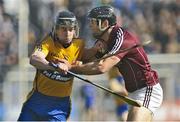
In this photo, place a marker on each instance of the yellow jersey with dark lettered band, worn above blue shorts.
(52, 83)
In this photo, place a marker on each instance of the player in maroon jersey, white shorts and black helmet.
(141, 81)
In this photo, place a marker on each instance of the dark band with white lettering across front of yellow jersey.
(54, 75)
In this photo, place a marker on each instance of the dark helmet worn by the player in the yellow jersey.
(65, 19)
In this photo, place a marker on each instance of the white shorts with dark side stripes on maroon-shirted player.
(150, 97)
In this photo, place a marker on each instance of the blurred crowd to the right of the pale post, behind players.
(155, 20)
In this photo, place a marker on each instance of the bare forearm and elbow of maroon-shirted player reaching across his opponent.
(93, 68)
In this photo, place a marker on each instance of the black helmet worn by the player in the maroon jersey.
(102, 13)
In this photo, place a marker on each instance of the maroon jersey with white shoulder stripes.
(134, 64)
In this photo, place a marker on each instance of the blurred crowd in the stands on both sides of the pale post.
(155, 20)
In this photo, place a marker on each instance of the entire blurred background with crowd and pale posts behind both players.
(25, 22)
